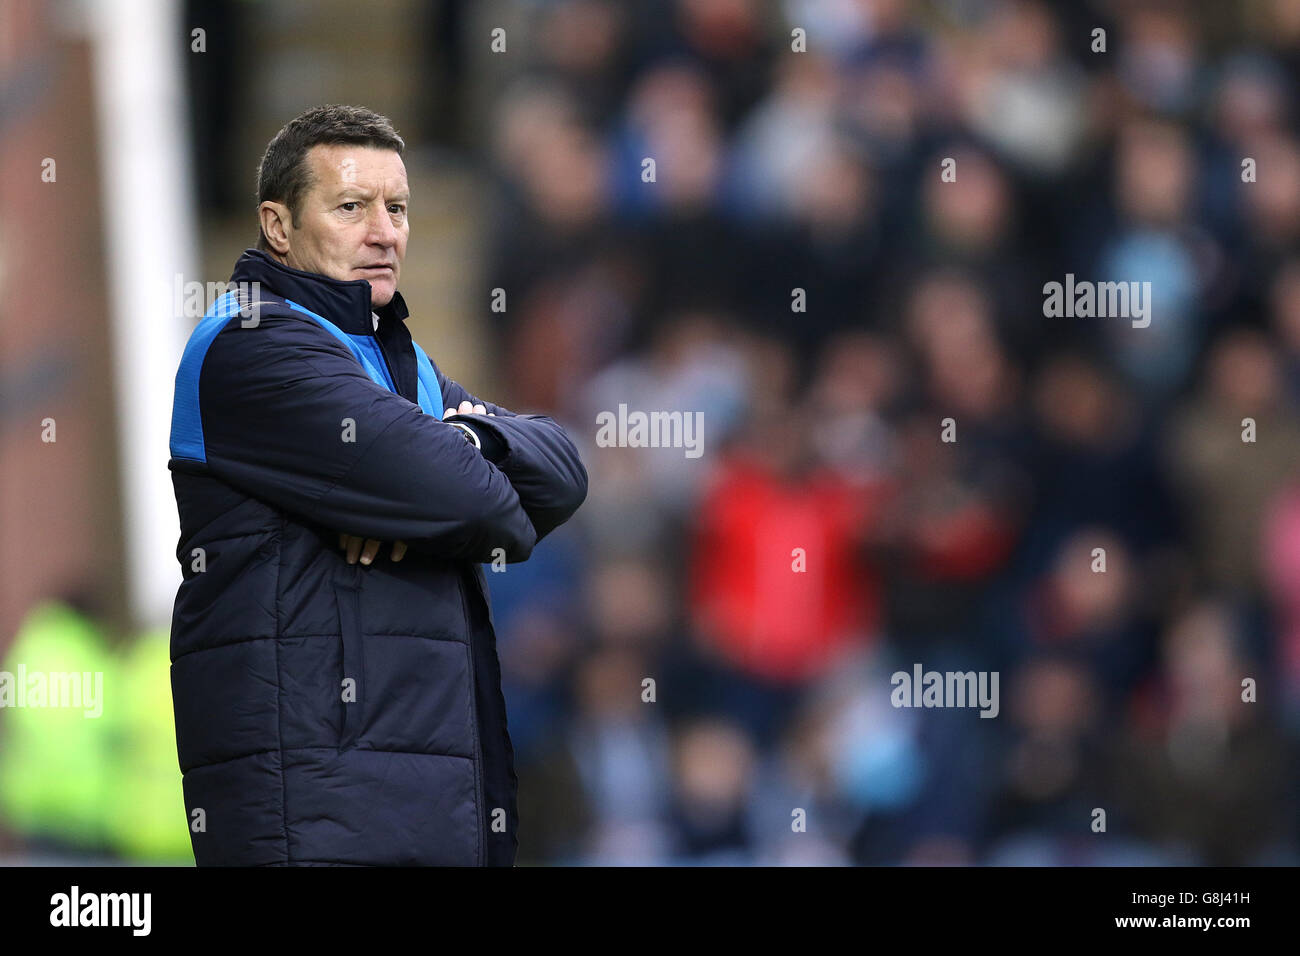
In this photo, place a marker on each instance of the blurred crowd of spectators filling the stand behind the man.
(1113, 524)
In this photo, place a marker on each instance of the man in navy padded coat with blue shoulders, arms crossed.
(337, 702)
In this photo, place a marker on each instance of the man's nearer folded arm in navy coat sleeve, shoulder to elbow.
(289, 417)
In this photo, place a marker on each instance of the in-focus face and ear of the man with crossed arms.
(353, 219)
